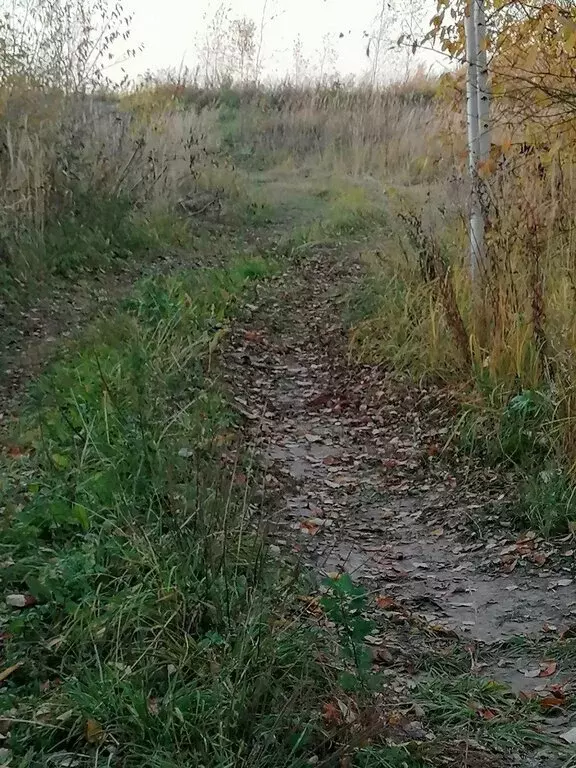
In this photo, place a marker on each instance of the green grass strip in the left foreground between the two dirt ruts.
(162, 633)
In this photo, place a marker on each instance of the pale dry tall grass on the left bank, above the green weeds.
(101, 148)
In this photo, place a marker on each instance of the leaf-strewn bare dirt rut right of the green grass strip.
(365, 485)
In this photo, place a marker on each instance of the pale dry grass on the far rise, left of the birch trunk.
(346, 130)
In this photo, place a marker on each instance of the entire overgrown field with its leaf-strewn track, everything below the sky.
(279, 488)
